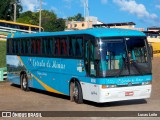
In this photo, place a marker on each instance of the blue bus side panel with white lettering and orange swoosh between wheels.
(53, 74)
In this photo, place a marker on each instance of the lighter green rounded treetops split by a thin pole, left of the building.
(50, 22)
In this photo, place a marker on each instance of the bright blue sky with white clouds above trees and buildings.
(145, 13)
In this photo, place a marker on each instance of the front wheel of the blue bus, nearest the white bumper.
(76, 92)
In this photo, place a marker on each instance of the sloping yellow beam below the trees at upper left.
(17, 23)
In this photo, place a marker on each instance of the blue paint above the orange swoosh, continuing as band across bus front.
(58, 72)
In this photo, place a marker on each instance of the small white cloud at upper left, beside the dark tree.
(31, 5)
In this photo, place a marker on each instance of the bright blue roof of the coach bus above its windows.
(96, 32)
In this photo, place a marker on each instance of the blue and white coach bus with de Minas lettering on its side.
(99, 64)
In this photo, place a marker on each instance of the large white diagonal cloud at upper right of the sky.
(134, 8)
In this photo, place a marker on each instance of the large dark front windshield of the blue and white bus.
(123, 56)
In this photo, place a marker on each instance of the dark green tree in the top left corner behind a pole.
(7, 9)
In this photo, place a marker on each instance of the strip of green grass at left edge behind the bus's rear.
(2, 54)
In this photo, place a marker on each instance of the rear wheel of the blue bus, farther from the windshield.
(24, 82)
